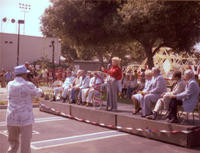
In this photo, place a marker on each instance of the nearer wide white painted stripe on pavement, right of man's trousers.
(75, 139)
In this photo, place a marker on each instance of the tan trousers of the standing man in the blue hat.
(13, 138)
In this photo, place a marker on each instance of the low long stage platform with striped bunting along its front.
(187, 135)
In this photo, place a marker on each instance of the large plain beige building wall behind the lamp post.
(31, 49)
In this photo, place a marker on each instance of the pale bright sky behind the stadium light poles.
(10, 9)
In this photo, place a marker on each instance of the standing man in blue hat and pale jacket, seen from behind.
(19, 114)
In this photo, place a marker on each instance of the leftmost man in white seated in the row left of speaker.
(68, 82)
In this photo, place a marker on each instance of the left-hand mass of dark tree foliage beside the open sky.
(88, 25)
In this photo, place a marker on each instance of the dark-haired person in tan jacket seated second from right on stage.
(164, 101)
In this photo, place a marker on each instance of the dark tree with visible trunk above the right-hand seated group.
(157, 24)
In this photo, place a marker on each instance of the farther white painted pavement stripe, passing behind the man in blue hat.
(41, 120)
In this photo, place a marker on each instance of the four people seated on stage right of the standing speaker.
(185, 92)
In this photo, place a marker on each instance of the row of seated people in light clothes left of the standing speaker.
(80, 87)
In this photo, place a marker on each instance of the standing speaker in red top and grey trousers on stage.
(115, 72)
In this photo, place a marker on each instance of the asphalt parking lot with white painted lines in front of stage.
(53, 134)
